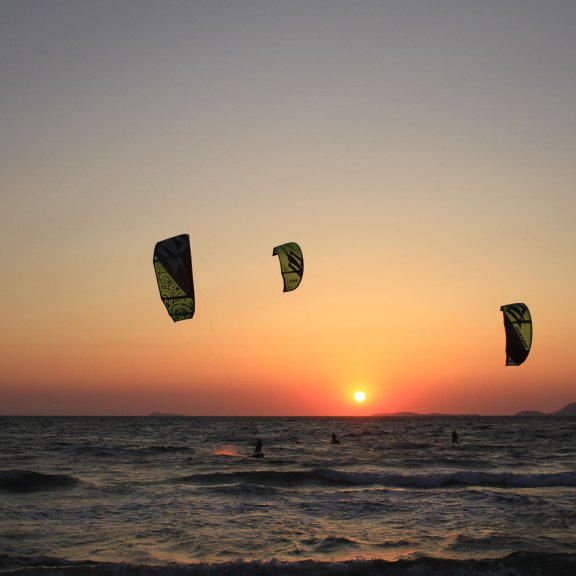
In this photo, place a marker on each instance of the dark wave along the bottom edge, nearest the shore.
(525, 563)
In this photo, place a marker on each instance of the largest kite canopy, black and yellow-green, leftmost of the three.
(173, 267)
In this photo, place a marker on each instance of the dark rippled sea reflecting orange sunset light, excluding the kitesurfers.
(184, 496)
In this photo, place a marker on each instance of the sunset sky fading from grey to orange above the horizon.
(422, 154)
